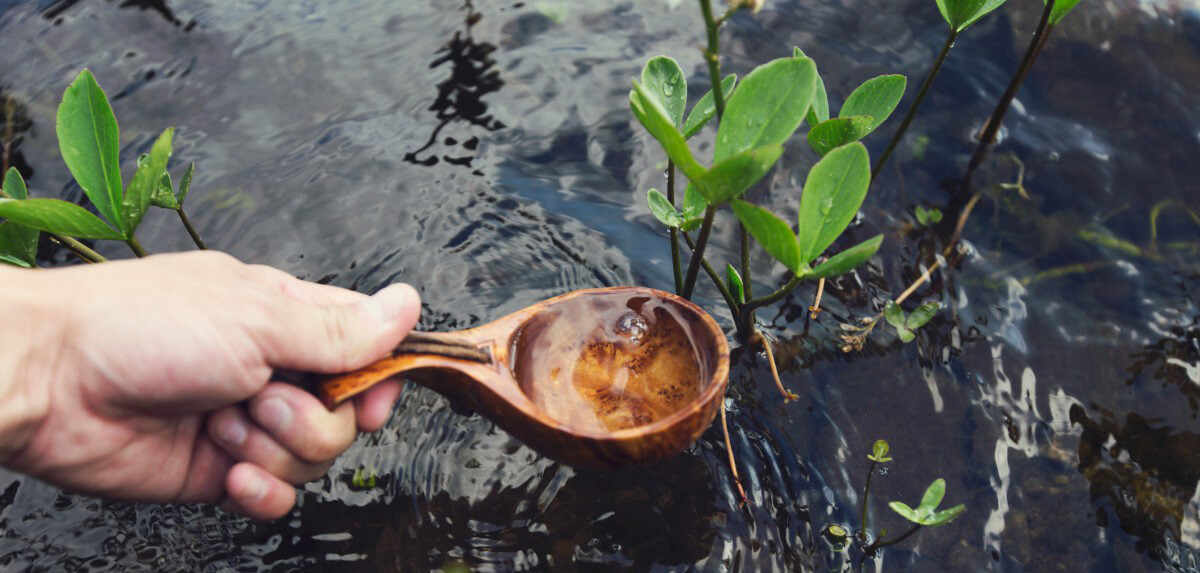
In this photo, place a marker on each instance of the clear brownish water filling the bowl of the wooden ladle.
(635, 365)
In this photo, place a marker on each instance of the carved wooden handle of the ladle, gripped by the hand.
(335, 389)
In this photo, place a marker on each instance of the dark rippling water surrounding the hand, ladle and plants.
(487, 154)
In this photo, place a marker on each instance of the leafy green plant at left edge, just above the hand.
(89, 142)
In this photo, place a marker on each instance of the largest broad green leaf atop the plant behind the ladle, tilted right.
(767, 108)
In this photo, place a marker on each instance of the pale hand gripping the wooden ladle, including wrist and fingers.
(151, 381)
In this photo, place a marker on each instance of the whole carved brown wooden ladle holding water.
(598, 378)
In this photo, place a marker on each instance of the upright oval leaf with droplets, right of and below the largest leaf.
(833, 192)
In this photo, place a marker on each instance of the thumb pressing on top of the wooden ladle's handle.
(338, 339)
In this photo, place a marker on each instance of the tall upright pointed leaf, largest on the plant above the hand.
(88, 141)
